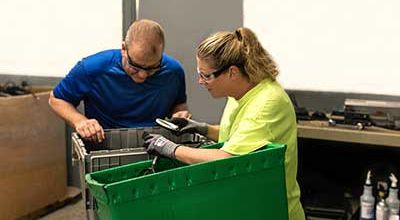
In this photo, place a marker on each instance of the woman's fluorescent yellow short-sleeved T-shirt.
(264, 115)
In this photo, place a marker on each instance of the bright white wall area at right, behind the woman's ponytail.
(331, 45)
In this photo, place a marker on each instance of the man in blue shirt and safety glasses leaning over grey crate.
(130, 87)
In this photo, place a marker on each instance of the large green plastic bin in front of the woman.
(244, 187)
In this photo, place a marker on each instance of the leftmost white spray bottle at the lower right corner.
(367, 200)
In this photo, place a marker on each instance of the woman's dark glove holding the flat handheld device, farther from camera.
(190, 126)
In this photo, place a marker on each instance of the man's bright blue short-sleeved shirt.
(114, 99)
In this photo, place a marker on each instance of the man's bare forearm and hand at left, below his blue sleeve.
(87, 128)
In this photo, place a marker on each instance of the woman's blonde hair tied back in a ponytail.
(242, 49)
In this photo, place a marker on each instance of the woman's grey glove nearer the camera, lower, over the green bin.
(159, 145)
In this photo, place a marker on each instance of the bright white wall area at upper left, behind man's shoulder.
(47, 37)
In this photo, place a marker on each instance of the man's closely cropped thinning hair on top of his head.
(145, 30)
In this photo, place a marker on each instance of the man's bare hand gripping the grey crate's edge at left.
(90, 129)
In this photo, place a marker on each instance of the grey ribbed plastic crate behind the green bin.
(121, 146)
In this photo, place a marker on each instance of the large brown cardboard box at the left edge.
(32, 154)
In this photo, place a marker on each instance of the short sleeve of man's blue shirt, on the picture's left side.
(74, 86)
